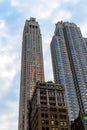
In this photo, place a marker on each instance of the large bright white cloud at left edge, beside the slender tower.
(9, 57)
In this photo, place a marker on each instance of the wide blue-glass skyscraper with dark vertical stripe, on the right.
(69, 59)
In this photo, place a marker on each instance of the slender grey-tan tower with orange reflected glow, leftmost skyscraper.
(32, 68)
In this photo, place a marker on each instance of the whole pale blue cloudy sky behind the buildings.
(13, 14)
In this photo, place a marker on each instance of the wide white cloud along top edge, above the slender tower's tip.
(40, 9)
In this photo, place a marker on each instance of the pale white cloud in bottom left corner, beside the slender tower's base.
(9, 117)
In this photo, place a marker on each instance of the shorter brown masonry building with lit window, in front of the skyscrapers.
(48, 107)
